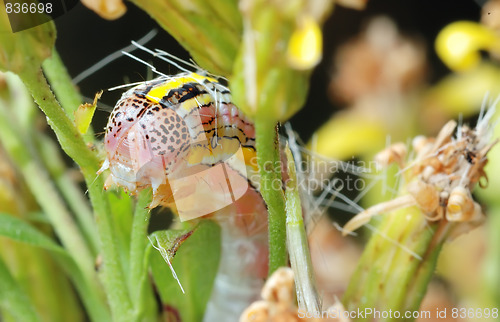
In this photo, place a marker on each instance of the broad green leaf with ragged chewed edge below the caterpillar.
(196, 261)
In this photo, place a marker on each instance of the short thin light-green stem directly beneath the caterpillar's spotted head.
(139, 242)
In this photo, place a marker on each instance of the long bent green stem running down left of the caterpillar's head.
(73, 144)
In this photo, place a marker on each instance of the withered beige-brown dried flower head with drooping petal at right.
(442, 175)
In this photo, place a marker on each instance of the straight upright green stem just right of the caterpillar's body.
(268, 159)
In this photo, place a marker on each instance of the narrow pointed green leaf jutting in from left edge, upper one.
(19, 230)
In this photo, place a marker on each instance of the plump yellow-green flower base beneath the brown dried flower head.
(396, 265)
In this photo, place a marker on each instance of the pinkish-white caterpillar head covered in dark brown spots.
(143, 142)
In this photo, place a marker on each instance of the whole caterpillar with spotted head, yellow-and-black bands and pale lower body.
(183, 136)
